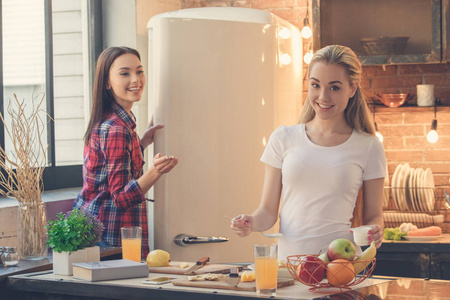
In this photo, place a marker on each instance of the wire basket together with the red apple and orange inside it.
(343, 271)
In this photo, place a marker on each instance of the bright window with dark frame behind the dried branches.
(48, 48)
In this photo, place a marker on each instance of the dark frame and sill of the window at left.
(57, 177)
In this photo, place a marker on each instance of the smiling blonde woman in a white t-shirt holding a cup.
(319, 165)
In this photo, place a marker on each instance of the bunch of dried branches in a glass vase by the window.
(23, 168)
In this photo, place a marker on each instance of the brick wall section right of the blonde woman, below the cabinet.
(405, 128)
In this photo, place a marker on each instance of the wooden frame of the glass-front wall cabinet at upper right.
(440, 50)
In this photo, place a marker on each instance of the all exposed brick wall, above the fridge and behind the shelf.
(404, 128)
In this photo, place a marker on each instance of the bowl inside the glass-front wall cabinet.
(384, 45)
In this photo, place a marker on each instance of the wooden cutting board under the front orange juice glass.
(222, 284)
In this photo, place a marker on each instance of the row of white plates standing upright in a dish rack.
(413, 188)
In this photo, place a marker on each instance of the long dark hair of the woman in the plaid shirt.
(103, 99)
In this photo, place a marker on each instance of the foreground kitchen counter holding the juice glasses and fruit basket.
(45, 285)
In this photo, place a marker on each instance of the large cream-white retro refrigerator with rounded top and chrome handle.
(221, 80)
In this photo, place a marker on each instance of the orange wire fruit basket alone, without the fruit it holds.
(293, 261)
